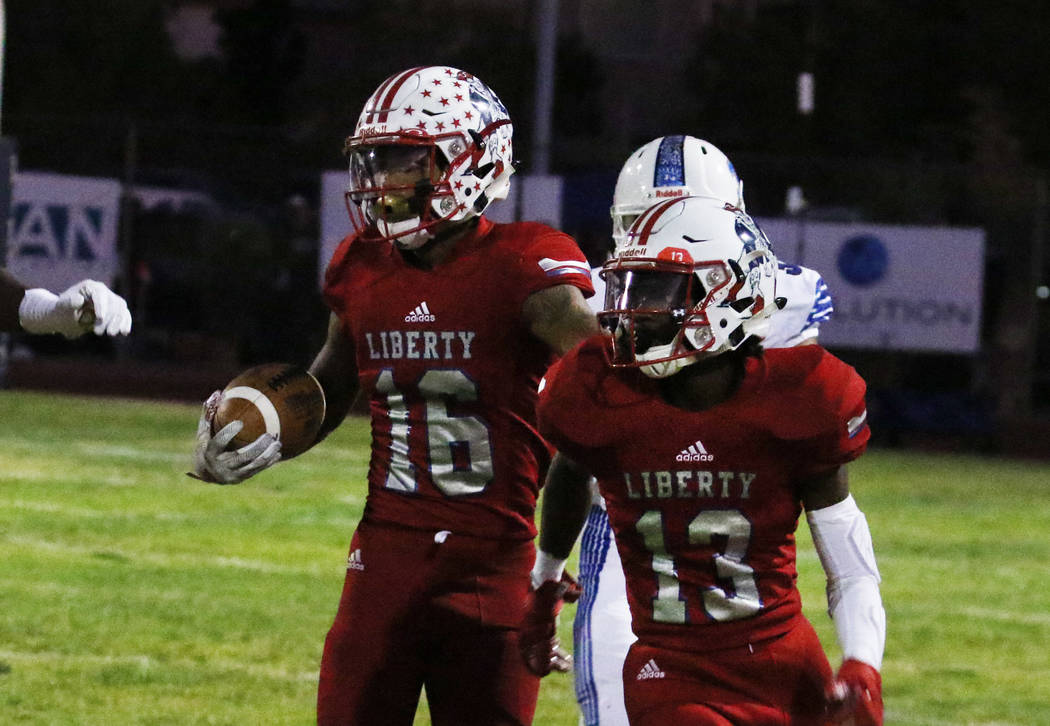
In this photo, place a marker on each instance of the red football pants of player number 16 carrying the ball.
(417, 613)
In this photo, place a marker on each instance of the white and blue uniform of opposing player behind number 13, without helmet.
(602, 630)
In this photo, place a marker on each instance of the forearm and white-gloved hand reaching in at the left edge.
(89, 306)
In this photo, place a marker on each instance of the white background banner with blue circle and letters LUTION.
(894, 288)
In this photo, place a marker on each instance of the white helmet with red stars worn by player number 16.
(460, 136)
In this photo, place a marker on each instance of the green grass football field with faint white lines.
(131, 594)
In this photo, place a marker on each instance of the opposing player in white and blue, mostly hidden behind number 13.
(667, 168)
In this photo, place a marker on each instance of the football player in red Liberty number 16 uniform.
(446, 323)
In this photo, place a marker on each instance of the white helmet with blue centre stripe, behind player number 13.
(667, 169)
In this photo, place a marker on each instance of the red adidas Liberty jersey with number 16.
(451, 371)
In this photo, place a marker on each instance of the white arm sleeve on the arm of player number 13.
(844, 543)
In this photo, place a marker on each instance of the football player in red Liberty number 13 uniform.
(707, 450)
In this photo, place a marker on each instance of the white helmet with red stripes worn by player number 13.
(696, 279)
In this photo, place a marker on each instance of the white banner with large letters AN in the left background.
(64, 230)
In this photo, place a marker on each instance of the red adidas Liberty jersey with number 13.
(705, 505)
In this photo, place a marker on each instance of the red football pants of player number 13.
(778, 682)
